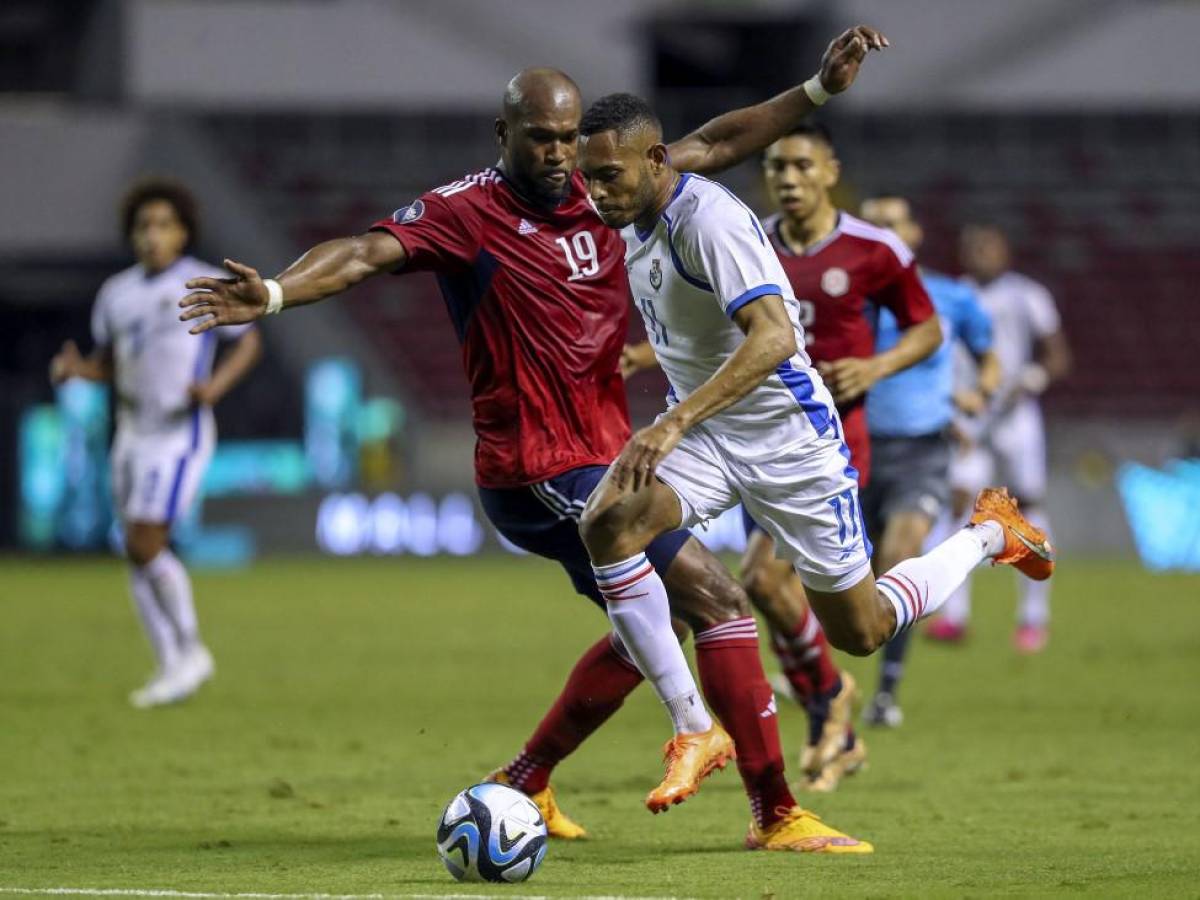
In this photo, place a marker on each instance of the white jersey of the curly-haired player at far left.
(155, 359)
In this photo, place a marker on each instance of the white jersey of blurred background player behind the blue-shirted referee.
(1023, 313)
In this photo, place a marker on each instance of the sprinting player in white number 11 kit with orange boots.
(749, 419)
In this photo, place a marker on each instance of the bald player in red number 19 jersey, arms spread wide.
(536, 287)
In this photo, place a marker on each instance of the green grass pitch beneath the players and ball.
(355, 699)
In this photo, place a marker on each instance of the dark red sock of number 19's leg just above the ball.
(595, 691)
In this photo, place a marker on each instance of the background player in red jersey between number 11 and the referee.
(842, 271)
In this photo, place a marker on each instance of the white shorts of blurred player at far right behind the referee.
(1015, 445)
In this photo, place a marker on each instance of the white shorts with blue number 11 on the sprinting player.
(805, 500)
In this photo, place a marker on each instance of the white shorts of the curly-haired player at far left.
(157, 477)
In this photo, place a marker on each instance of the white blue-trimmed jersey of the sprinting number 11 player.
(705, 259)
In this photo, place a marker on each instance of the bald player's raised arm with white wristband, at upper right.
(736, 136)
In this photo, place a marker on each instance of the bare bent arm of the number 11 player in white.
(771, 340)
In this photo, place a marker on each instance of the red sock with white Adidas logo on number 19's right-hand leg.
(736, 689)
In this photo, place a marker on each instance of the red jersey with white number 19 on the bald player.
(541, 304)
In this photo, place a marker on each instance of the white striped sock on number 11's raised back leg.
(919, 587)
